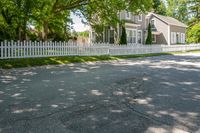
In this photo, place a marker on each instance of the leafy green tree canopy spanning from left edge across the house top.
(51, 18)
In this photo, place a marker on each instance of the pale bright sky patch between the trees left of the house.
(78, 25)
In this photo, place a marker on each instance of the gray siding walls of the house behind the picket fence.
(163, 35)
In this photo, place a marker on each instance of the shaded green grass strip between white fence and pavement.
(30, 62)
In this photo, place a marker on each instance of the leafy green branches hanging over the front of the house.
(102, 13)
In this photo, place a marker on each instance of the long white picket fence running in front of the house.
(28, 49)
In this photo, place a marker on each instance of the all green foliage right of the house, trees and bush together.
(186, 11)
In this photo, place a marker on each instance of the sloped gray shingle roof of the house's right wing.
(169, 20)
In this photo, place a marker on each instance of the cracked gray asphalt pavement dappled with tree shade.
(145, 95)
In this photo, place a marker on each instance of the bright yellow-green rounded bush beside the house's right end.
(193, 34)
